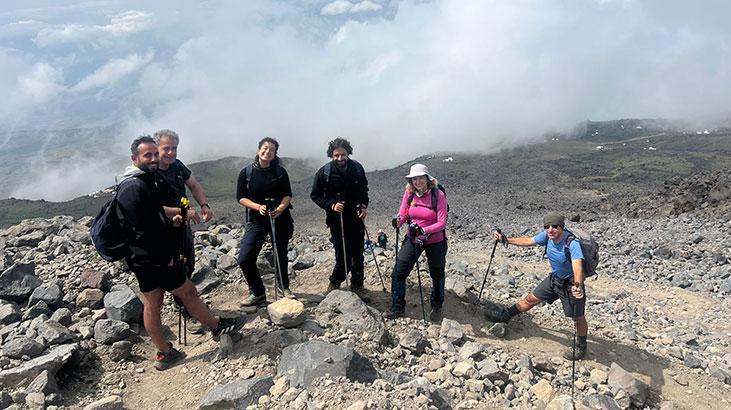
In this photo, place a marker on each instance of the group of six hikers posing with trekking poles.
(148, 224)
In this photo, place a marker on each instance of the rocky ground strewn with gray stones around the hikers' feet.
(659, 334)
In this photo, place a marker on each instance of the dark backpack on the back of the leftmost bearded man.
(109, 232)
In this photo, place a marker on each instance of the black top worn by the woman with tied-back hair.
(271, 182)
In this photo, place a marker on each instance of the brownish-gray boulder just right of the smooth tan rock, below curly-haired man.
(346, 310)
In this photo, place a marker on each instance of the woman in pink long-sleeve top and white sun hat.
(424, 211)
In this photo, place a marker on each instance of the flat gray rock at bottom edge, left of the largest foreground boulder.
(238, 394)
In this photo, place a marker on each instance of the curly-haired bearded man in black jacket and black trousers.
(341, 188)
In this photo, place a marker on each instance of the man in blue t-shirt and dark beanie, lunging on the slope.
(566, 281)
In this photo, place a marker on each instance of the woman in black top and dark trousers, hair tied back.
(262, 180)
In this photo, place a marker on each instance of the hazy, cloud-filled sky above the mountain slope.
(399, 78)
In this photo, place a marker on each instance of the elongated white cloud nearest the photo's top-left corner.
(123, 24)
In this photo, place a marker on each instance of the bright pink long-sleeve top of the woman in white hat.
(433, 222)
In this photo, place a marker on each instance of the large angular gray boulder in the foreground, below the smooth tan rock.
(304, 362)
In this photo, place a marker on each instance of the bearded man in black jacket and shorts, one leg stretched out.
(151, 256)
